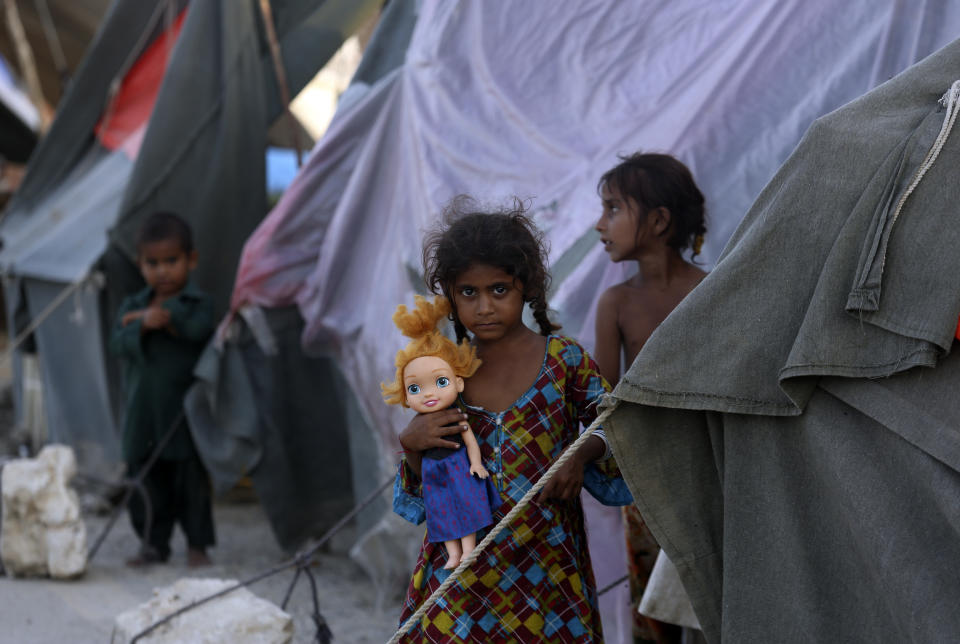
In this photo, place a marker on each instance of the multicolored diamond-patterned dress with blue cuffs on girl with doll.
(534, 583)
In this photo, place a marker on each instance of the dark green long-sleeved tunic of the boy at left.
(158, 370)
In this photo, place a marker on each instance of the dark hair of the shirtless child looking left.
(660, 180)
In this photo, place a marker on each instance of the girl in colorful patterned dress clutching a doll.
(525, 405)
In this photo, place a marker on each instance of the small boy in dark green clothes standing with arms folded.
(159, 334)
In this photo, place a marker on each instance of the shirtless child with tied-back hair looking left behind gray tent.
(652, 212)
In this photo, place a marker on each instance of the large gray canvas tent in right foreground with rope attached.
(790, 431)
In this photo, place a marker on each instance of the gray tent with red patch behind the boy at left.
(117, 152)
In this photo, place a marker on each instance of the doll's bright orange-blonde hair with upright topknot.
(420, 324)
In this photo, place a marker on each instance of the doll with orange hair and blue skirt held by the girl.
(459, 496)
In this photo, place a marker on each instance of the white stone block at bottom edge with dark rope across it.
(239, 616)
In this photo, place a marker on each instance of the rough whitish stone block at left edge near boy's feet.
(42, 532)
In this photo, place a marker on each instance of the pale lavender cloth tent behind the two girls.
(534, 100)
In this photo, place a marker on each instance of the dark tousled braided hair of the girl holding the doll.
(505, 238)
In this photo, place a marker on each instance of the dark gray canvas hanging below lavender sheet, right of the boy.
(286, 420)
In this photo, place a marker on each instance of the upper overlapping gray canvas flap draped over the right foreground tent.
(789, 271)
